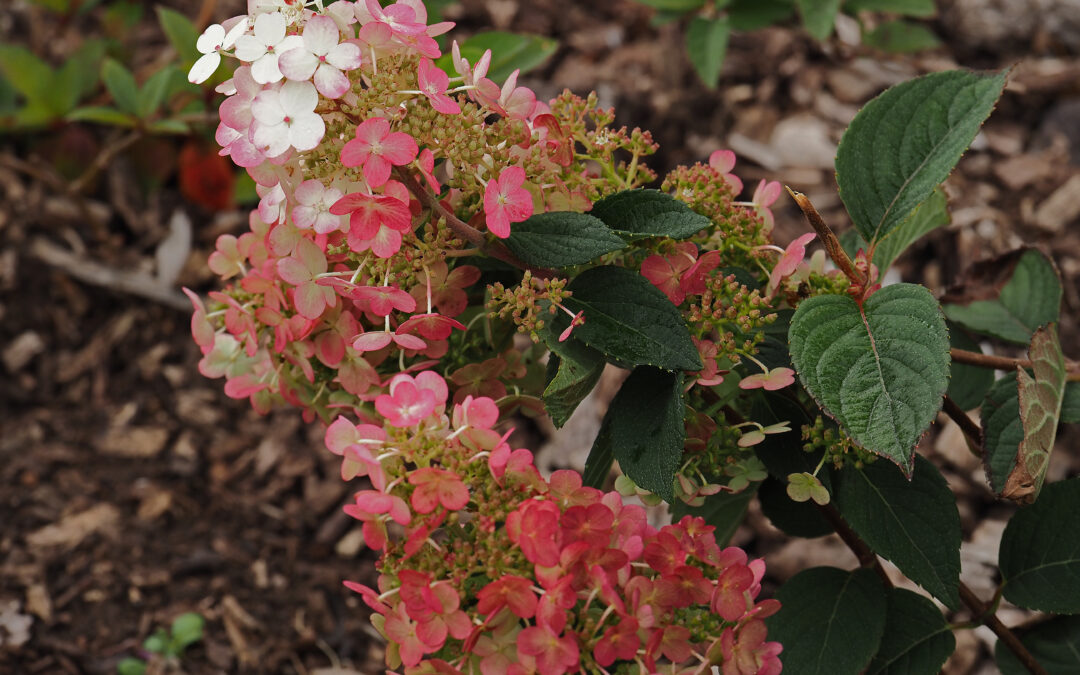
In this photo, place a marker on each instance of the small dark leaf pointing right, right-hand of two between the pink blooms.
(639, 214)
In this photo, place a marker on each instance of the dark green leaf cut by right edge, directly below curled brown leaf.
(1041, 552)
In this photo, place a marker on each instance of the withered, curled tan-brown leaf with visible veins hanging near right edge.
(1041, 408)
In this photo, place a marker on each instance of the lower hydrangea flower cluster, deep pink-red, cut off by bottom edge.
(489, 568)
